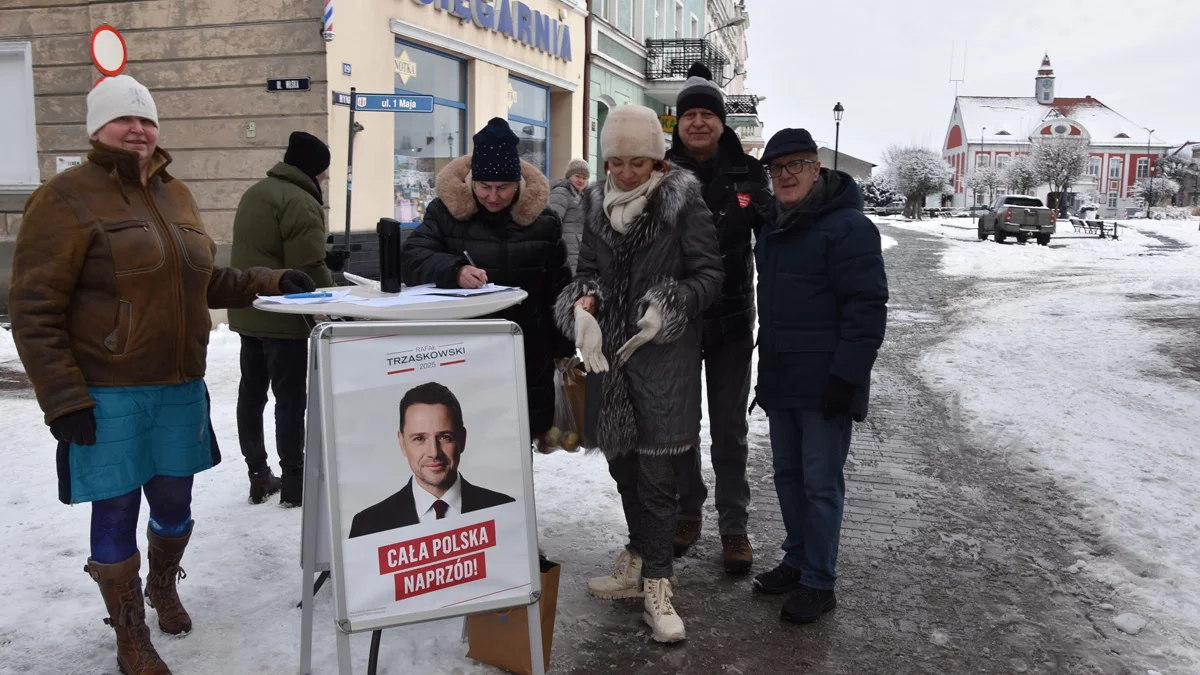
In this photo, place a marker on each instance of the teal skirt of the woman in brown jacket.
(141, 433)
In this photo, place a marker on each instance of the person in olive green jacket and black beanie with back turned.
(280, 225)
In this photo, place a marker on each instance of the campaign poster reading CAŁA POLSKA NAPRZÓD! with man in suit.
(430, 492)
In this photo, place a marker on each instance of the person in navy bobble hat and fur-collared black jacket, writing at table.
(493, 207)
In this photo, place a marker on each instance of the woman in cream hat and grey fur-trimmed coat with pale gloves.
(650, 266)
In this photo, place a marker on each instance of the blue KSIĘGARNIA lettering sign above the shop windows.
(514, 20)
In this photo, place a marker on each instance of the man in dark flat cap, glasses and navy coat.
(823, 312)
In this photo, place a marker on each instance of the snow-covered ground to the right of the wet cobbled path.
(1082, 361)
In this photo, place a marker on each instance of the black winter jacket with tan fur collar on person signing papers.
(521, 247)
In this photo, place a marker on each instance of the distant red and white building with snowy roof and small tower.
(988, 132)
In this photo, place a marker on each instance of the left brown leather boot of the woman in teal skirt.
(121, 586)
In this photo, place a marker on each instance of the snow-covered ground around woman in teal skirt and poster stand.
(244, 576)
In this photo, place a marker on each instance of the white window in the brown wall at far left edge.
(19, 127)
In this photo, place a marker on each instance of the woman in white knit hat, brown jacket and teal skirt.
(113, 277)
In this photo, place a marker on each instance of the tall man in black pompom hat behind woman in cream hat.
(735, 189)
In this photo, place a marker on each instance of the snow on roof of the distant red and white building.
(1021, 116)
